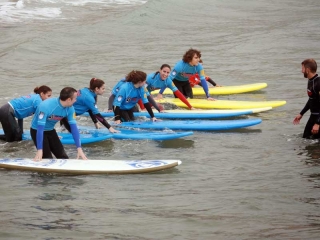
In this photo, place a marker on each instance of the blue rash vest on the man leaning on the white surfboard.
(49, 112)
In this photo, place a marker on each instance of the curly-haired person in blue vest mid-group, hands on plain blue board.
(129, 94)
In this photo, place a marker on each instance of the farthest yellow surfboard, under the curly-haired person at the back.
(221, 90)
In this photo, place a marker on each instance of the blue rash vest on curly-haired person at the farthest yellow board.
(182, 71)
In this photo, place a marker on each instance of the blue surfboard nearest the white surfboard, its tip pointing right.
(137, 134)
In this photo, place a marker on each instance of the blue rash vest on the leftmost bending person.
(25, 106)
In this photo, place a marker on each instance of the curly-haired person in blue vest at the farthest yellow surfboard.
(186, 68)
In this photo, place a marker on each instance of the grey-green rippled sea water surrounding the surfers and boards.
(260, 182)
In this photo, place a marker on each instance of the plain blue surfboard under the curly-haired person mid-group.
(193, 125)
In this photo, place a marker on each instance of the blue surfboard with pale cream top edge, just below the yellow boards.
(187, 114)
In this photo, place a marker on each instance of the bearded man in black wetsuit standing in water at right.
(309, 70)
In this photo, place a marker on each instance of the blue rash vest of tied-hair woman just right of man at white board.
(86, 100)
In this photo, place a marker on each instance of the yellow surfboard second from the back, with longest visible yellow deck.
(222, 104)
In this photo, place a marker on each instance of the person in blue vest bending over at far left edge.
(20, 108)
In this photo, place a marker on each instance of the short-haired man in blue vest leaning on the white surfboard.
(42, 131)
